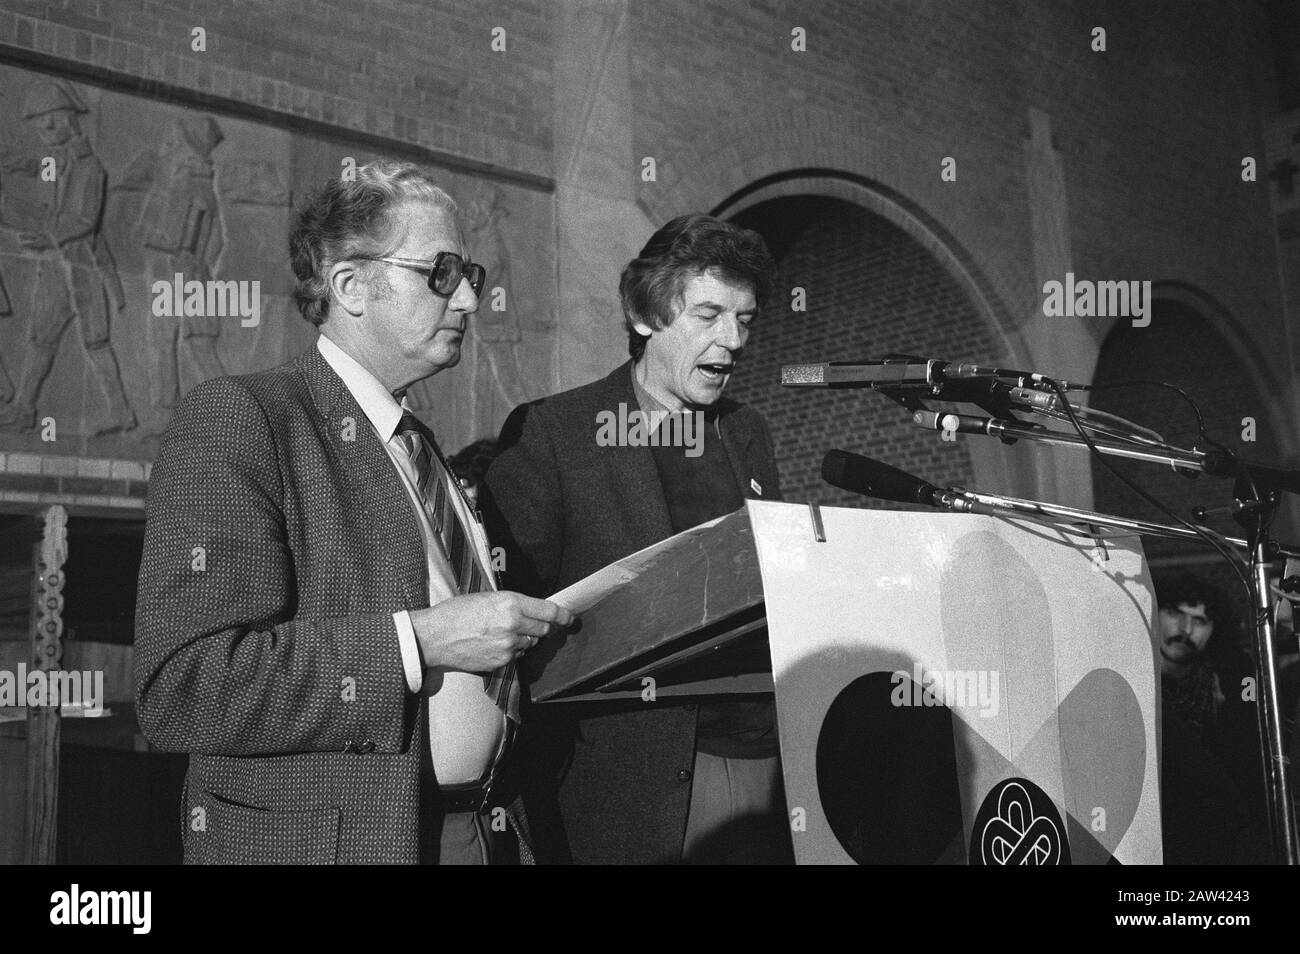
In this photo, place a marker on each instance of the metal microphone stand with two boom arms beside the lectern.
(1264, 491)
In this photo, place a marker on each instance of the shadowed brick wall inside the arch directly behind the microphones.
(872, 290)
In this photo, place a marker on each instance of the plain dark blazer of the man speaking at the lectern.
(605, 786)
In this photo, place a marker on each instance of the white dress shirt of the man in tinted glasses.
(467, 730)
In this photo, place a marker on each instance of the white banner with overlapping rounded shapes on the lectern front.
(961, 690)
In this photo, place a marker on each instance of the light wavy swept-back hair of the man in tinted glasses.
(352, 218)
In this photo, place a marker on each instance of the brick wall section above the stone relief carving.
(421, 73)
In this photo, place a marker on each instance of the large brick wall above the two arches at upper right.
(1151, 132)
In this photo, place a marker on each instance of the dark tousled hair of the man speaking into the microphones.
(688, 246)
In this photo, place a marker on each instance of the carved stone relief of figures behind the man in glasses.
(145, 189)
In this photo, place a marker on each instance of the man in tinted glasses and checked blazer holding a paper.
(319, 626)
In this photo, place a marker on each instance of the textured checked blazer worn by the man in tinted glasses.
(280, 543)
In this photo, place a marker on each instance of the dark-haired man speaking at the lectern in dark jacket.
(648, 782)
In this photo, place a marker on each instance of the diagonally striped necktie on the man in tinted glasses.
(437, 487)
